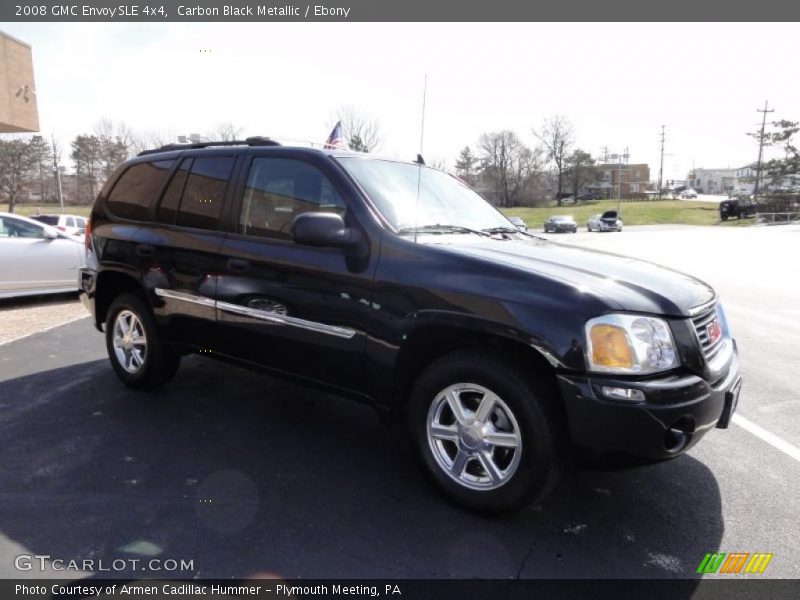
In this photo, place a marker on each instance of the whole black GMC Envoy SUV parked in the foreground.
(396, 284)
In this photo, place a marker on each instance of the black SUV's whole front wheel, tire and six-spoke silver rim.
(485, 431)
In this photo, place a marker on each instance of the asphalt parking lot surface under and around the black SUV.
(243, 474)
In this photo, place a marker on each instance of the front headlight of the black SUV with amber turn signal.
(630, 344)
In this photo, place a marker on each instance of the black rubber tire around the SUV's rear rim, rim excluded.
(159, 362)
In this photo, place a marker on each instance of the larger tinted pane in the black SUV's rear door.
(204, 193)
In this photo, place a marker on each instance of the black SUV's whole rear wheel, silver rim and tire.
(140, 359)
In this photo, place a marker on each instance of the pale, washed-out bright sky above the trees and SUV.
(616, 83)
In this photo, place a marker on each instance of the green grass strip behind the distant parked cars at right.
(653, 212)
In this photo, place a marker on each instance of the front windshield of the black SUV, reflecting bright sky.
(443, 199)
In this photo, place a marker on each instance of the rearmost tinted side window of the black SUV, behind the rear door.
(137, 189)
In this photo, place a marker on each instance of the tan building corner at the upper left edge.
(18, 109)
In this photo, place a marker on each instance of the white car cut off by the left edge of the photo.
(36, 258)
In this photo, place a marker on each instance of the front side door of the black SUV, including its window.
(294, 308)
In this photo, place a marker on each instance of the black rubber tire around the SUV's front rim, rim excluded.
(530, 400)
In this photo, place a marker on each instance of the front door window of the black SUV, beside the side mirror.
(277, 190)
